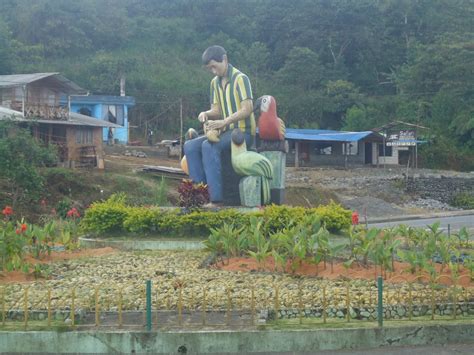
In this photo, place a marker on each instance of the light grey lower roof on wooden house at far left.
(75, 119)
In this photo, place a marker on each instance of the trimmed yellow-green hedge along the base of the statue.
(114, 215)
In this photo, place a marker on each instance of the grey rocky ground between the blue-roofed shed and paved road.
(380, 191)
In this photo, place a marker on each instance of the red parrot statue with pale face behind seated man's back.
(270, 126)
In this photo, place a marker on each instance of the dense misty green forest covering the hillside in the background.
(335, 64)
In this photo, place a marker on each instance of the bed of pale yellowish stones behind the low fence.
(172, 271)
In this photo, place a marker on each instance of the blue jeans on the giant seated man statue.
(204, 161)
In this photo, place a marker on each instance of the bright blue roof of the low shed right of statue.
(328, 135)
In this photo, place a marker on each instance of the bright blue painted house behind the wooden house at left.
(112, 109)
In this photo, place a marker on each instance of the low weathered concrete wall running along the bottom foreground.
(229, 341)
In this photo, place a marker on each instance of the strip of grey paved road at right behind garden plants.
(454, 222)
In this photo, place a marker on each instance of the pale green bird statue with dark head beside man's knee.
(250, 163)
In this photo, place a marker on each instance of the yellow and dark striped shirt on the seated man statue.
(230, 97)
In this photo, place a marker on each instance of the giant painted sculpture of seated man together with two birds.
(226, 152)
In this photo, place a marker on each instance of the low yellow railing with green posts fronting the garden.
(180, 306)
